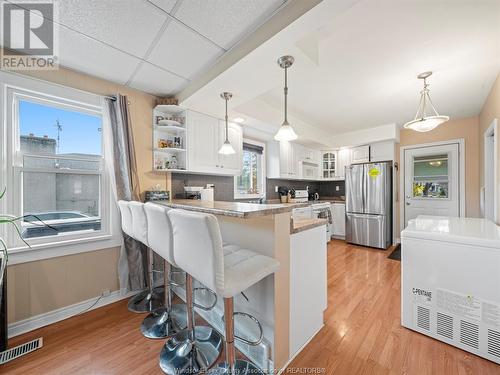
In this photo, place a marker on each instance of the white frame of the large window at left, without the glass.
(15, 87)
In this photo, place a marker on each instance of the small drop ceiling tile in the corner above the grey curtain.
(156, 81)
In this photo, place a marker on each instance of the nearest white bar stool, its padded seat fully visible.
(227, 269)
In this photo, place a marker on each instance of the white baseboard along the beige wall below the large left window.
(55, 316)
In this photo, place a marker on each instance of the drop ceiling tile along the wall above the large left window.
(86, 55)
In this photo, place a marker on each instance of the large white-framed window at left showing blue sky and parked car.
(55, 155)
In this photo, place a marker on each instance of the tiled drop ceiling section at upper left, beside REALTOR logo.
(157, 46)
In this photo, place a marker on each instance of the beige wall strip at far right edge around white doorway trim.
(489, 112)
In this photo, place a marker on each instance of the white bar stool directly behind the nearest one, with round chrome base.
(168, 319)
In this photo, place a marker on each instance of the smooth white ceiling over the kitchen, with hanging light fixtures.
(356, 64)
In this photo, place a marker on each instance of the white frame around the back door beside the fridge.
(461, 174)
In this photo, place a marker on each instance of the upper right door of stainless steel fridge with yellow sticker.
(377, 188)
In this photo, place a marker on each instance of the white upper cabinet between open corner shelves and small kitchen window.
(206, 134)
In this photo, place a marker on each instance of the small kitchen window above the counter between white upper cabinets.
(250, 184)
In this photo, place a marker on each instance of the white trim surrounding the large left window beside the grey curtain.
(110, 235)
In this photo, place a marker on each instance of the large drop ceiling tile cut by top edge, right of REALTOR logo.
(129, 25)
